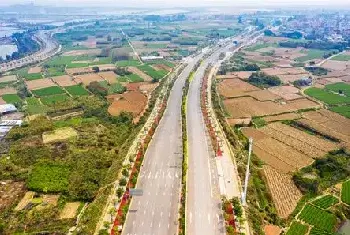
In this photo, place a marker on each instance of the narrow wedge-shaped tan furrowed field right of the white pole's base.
(284, 193)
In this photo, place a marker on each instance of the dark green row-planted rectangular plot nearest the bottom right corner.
(318, 217)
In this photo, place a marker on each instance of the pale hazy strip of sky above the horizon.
(179, 3)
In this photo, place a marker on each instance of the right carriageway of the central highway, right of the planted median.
(203, 214)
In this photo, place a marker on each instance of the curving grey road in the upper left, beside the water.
(48, 47)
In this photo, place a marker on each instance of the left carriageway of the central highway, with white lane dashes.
(156, 212)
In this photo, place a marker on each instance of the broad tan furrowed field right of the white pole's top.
(275, 139)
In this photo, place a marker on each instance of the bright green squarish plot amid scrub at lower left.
(49, 177)
